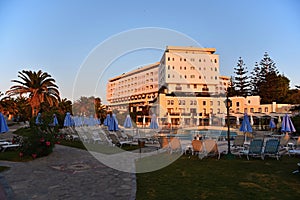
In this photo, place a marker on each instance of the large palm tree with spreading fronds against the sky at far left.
(38, 86)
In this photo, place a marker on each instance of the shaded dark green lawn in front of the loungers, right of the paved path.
(192, 178)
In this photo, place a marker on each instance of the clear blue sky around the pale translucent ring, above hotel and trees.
(58, 36)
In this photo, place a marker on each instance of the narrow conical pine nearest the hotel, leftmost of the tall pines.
(241, 81)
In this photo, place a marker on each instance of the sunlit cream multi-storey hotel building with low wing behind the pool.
(185, 87)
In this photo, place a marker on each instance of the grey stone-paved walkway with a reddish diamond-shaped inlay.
(66, 174)
